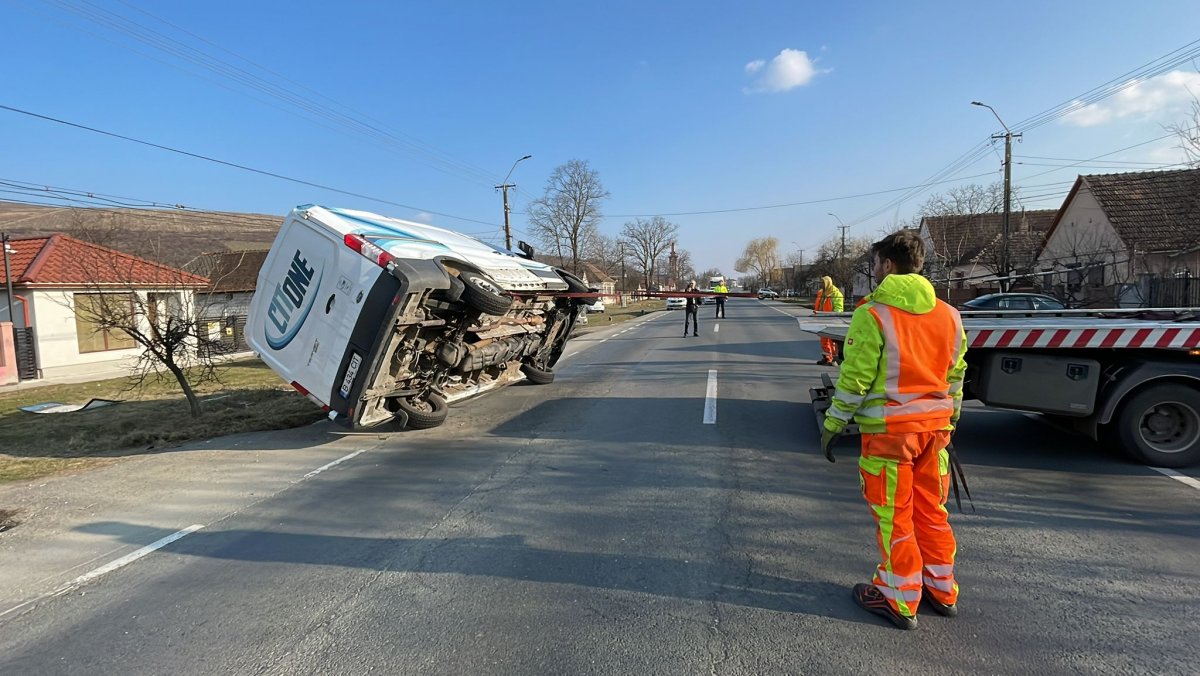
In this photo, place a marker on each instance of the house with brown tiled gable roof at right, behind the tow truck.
(1121, 238)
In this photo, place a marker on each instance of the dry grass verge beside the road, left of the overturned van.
(251, 398)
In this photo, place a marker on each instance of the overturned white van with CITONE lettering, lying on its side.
(377, 319)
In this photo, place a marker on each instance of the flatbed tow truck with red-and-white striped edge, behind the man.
(1125, 378)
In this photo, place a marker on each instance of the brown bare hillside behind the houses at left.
(171, 237)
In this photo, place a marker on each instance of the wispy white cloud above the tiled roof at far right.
(1157, 99)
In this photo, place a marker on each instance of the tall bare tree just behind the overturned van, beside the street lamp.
(565, 220)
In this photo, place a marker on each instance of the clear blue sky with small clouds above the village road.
(681, 107)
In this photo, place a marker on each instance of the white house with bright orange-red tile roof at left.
(57, 279)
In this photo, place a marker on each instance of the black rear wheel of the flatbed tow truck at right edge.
(1161, 426)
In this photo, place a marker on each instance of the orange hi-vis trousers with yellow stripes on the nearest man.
(905, 480)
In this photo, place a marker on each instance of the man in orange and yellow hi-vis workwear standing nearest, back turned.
(903, 384)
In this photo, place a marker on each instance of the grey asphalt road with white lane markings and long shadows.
(619, 522)
